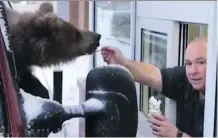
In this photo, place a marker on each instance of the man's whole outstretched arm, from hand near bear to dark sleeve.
(145, 73)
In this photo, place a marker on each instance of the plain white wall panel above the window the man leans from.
(185, 11)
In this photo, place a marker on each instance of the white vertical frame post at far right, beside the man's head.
(210, 93)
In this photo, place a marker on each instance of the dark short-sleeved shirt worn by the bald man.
(190, 110)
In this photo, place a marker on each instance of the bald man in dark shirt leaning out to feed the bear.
(185, 85)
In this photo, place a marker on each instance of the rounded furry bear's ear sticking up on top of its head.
(45, 8)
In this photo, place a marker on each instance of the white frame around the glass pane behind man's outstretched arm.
(172, 30)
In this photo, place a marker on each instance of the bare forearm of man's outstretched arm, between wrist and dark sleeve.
(145, 73)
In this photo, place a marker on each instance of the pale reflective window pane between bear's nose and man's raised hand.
(113, 22)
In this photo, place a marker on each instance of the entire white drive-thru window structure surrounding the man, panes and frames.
(158, 32)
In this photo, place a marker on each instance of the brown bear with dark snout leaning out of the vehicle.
(41, 38)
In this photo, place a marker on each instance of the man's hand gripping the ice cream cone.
(161, 126)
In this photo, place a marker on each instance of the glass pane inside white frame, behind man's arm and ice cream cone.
(154, 51)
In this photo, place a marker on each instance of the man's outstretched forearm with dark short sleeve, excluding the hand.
(164, 80)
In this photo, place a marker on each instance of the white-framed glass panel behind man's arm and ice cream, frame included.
(157, 43)
